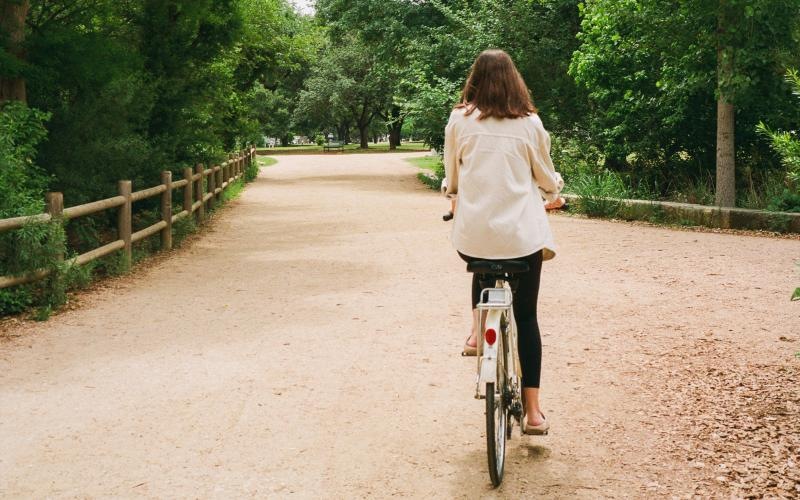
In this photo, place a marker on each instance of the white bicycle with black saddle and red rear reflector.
(499, 380)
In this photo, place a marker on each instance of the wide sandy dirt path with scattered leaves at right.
(307, 346)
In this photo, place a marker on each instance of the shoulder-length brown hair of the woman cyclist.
(495, 87)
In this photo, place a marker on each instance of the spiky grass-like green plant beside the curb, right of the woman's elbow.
(600, 195)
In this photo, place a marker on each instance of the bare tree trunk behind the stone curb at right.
(726, 152)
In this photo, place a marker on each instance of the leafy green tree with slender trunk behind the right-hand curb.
(655, 71)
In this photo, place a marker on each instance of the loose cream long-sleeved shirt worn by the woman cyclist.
(499, 169)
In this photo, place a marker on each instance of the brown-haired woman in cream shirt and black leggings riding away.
(497, 164)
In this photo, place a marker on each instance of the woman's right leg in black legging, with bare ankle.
(526, 297)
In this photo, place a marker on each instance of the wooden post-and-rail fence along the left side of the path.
(202, 188)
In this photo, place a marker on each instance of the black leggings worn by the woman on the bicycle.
(526, 295)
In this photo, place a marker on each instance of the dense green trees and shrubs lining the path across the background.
(644, 98)
